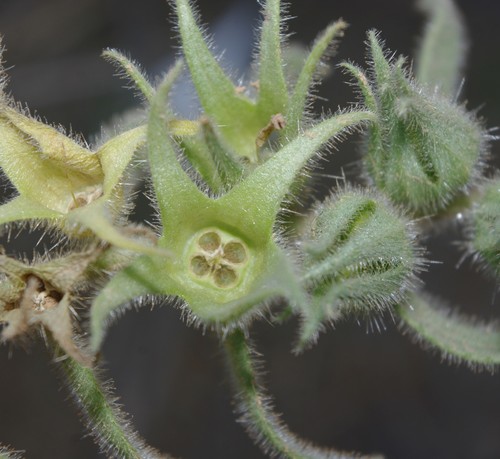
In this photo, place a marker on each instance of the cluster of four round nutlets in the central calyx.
(217, 257)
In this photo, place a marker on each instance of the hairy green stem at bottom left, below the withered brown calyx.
(105, 420)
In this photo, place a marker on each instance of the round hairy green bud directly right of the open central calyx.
(359, 256)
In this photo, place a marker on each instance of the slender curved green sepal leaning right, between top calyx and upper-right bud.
(307, 77)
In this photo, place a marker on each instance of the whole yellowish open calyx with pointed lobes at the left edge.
(62, 183)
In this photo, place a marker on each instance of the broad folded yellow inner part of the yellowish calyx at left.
(46, 166)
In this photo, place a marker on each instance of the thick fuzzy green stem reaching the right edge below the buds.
(459, 339)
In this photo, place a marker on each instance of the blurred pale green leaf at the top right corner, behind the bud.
(441, 54)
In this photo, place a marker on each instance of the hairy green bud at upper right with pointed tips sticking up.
(423, 150)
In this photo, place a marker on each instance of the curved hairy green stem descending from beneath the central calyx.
(262, 424)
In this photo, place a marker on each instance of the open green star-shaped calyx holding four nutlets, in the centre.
(223, 258)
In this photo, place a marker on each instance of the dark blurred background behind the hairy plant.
(356, 390)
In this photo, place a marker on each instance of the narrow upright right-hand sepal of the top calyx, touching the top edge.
(273, 93)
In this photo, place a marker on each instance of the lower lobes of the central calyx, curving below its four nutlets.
(272, 276)
